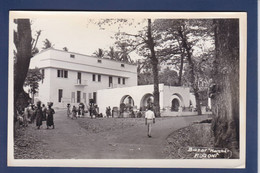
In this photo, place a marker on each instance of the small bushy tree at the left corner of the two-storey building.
(32, 81)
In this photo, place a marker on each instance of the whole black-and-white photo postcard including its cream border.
(127, 89)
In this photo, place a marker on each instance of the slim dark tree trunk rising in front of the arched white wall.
(154, 61)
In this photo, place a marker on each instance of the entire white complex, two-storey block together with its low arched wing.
(75, 78)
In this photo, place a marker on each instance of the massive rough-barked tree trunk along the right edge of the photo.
(225, 100)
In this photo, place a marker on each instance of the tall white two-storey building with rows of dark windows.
(74, 78)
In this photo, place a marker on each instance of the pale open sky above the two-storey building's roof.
(79, 35)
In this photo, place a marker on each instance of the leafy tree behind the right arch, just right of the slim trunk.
(183, 37)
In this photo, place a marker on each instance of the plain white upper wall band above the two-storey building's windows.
(61, 59)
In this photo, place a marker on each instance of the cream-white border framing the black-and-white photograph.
(145, 163)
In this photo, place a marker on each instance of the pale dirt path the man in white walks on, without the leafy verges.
(70, 140)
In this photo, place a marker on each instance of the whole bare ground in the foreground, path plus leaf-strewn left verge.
(104, 138)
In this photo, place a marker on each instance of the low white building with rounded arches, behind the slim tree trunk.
(171, 98)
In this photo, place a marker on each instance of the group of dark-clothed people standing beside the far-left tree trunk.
(38, 114)
